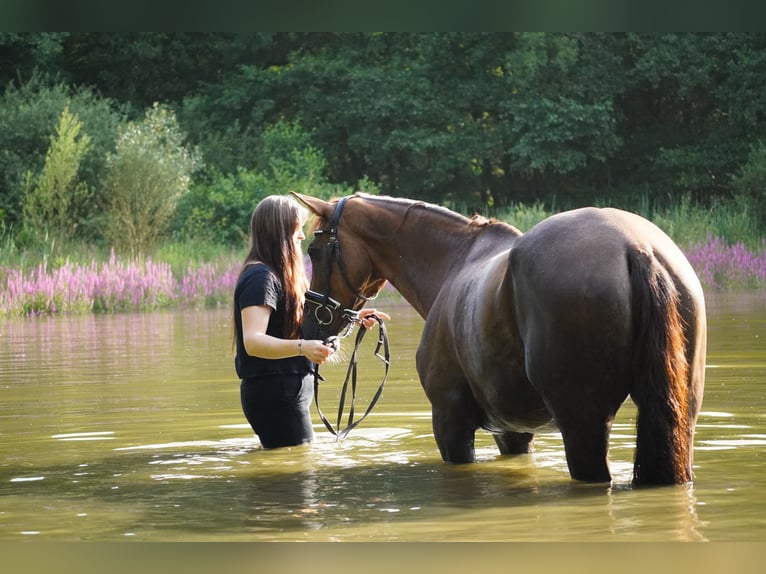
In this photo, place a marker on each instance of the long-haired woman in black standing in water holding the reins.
(272, 360)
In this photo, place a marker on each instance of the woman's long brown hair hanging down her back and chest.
(275, 220)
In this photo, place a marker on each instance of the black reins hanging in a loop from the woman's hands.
(351, 374)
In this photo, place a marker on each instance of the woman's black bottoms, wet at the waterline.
(278, 408)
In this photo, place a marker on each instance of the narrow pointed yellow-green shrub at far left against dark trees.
(50, 198)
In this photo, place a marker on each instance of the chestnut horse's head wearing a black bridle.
(343, 278)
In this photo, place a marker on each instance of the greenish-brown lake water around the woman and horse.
(128, 427)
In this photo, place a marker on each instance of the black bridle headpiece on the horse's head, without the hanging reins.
(325, 306)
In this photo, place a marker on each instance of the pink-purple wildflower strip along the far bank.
(121, 286)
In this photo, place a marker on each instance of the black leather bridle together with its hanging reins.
(324, 313)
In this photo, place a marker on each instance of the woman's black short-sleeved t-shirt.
(259, 286)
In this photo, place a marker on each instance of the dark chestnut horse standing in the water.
(552, 328)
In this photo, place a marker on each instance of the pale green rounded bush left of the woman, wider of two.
(148, 173)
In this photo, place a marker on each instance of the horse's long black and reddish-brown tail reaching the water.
(660, 376)
